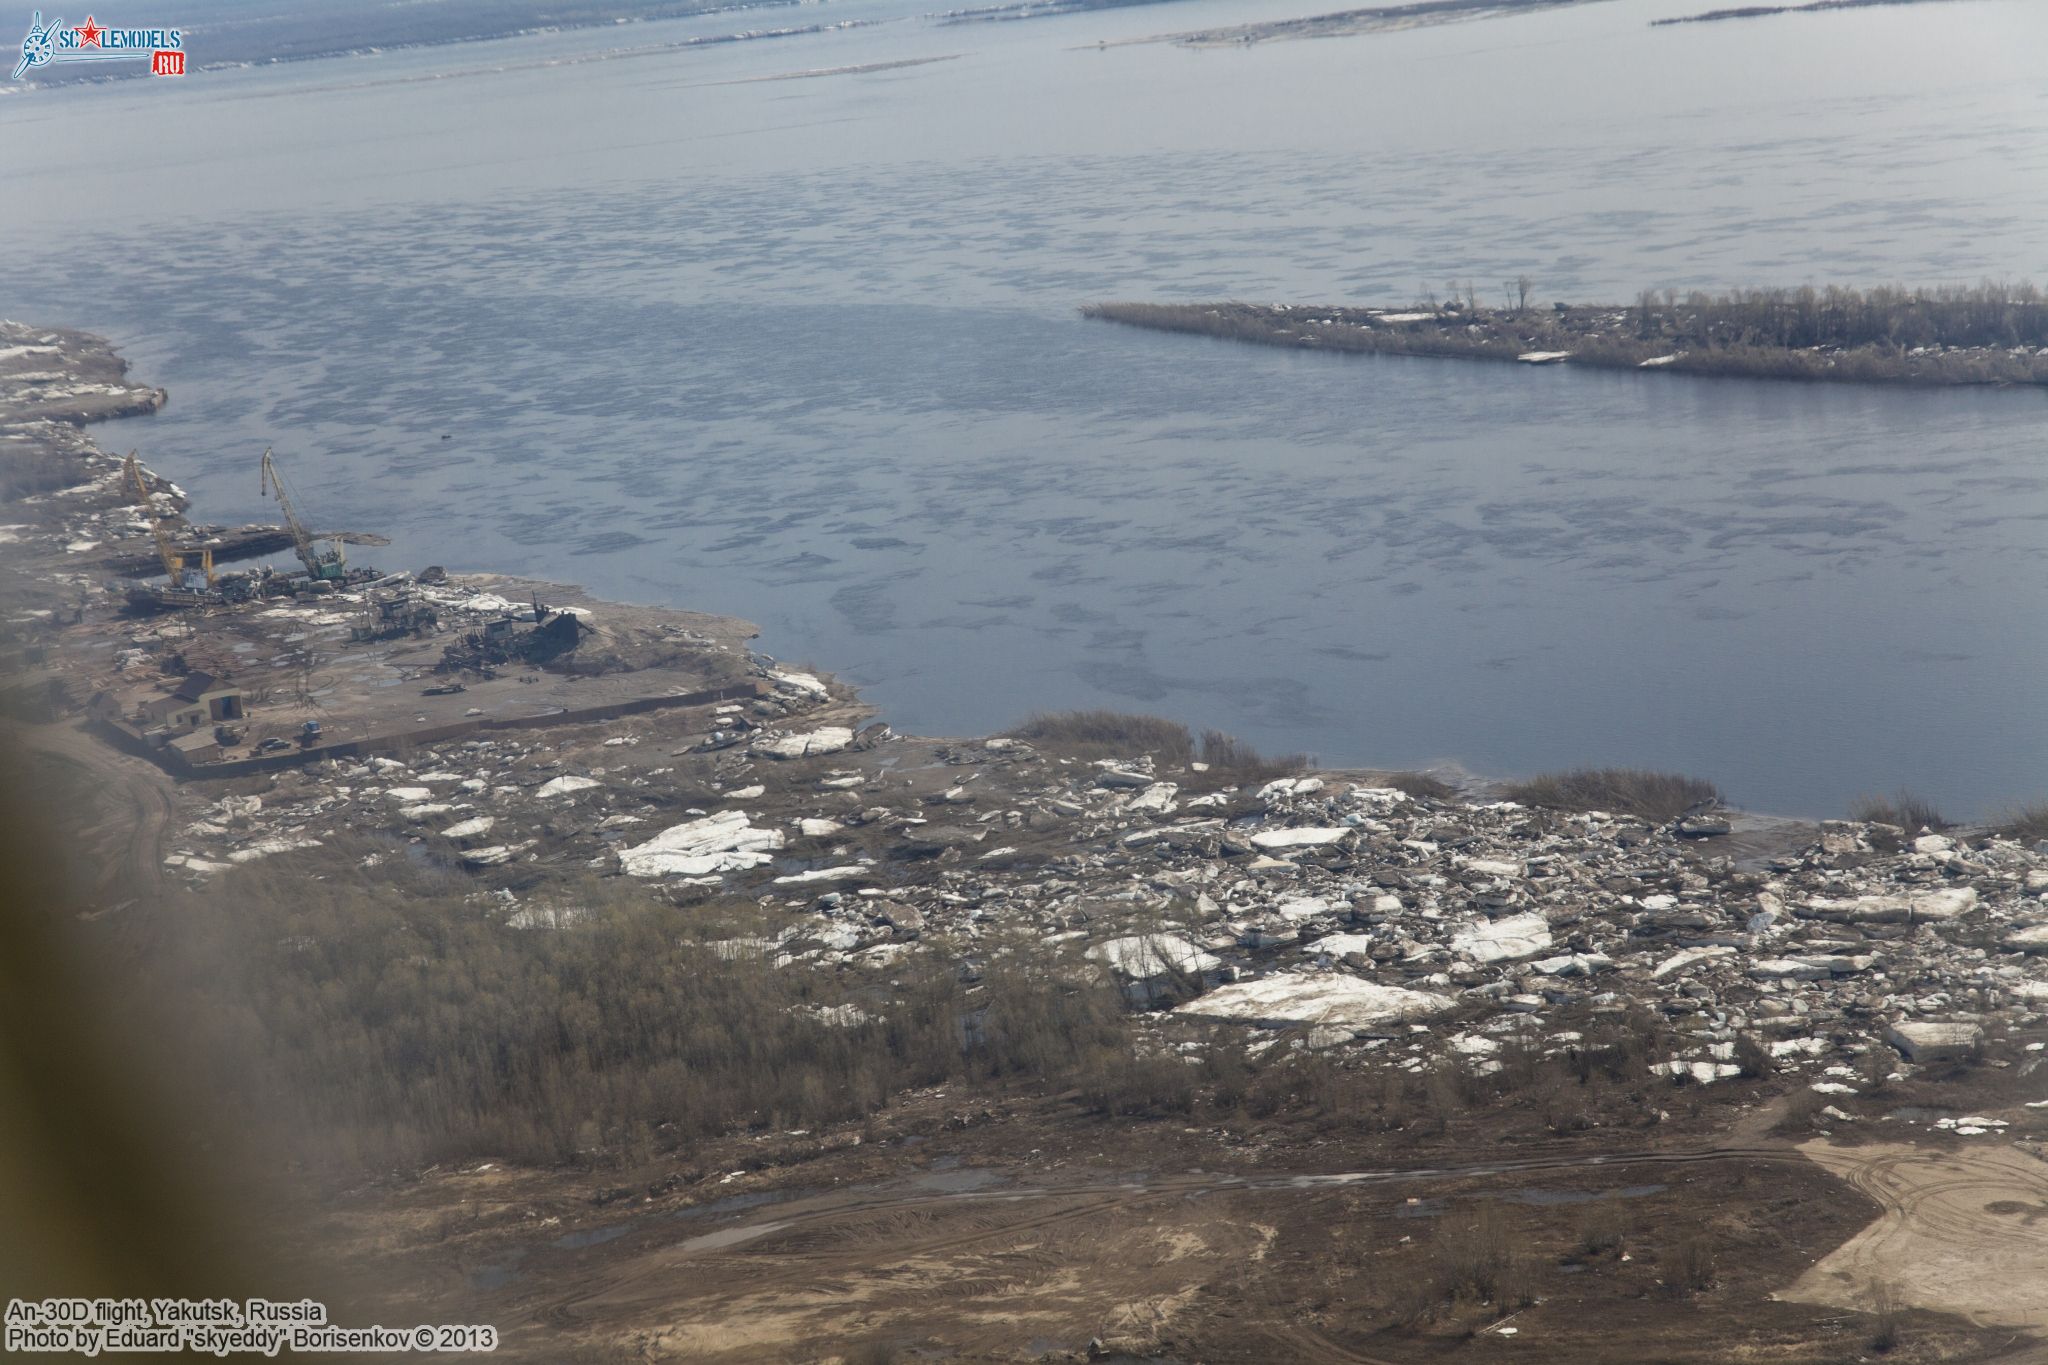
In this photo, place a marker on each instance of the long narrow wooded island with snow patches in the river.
(1994, 335)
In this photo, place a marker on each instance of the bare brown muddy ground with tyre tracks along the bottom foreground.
(1025, 1231)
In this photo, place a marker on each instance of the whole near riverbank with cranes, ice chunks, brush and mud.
(732, 951)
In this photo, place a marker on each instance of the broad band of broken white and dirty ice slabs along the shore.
(1320, 908)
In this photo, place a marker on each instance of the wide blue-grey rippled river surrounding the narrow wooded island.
(630, 314)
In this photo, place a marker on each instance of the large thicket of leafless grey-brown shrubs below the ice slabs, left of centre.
(364, 1030)
